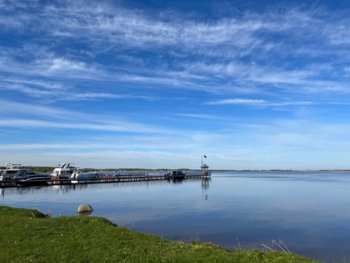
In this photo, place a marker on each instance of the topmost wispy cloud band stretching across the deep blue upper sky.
(100, 22)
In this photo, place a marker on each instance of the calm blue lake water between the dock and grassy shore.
(309, 212)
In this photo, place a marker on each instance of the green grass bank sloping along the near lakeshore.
(28, 236)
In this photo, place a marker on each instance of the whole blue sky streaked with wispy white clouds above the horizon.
(156, 84)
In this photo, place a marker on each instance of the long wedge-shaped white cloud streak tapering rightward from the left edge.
(38, 117)
